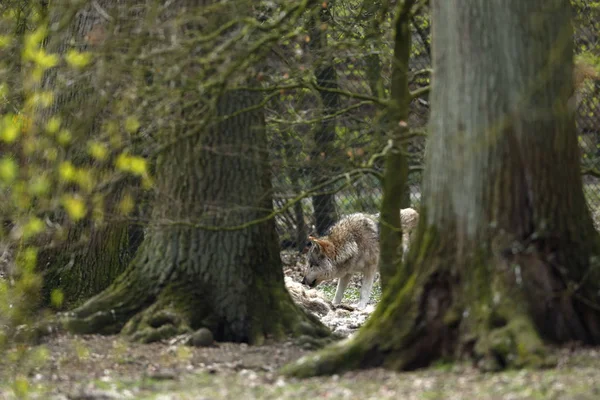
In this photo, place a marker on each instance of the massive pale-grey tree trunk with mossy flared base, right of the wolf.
(505, 258)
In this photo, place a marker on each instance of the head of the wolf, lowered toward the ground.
(320, 254)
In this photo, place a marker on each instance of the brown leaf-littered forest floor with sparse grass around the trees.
(110, 367)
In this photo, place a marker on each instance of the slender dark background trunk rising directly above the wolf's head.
(324, 152)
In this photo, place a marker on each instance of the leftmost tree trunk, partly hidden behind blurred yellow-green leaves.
(93, 255)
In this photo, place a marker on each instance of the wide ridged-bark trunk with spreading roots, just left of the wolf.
(211, 259)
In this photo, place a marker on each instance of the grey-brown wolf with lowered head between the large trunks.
(351, 246)
